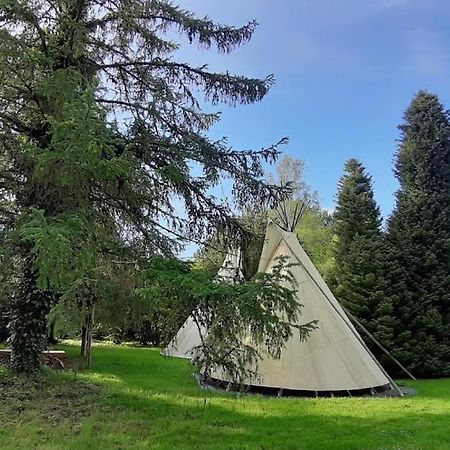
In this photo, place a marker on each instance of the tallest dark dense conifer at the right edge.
(419, 231)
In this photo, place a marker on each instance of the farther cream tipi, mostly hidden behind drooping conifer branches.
(190, 334)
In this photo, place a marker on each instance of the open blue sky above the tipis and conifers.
(345, 70)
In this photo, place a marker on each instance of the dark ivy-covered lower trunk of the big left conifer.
(30, 307)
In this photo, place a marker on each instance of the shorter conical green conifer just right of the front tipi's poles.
(359, 250)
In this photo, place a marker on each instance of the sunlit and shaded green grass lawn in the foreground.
(136, 399)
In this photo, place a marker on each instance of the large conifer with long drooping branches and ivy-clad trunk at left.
(101, 129)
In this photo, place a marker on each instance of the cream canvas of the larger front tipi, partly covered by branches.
(334, 357)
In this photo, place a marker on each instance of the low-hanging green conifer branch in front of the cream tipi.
(260, 314)
